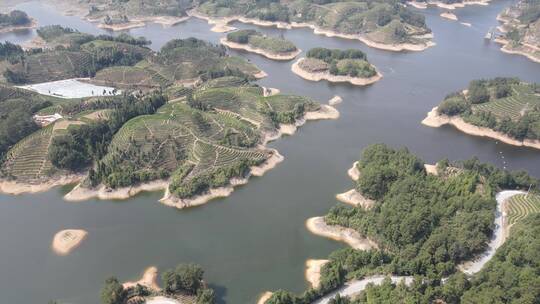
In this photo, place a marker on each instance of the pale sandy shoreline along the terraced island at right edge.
(436, 120)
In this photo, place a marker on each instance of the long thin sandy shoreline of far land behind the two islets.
(221, 26)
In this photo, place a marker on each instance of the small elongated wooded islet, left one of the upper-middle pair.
(253, 41)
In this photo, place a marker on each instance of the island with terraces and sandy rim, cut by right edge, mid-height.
(505, 109)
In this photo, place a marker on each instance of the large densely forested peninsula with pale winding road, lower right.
(426, 226)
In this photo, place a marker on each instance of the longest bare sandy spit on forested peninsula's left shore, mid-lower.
(318, 226)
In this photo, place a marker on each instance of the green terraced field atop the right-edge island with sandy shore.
(522, 99)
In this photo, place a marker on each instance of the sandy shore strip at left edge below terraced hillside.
(16, 188)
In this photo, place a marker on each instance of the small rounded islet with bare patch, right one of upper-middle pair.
(336, 65)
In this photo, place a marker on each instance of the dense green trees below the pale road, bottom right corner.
(512, 276)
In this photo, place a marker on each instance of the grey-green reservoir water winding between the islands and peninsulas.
(255, 240)
